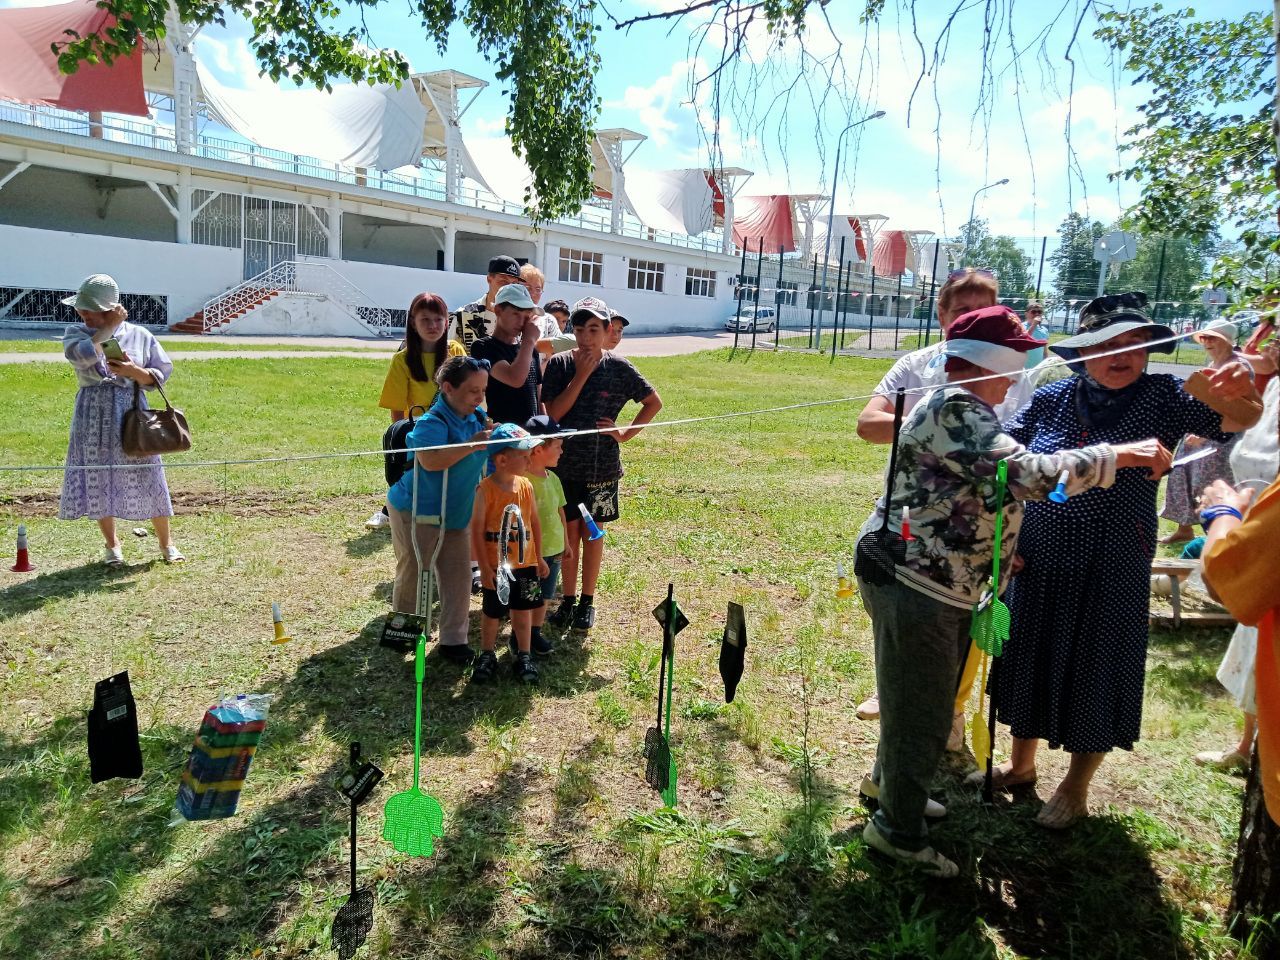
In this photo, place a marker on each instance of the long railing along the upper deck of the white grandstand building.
(426, 182)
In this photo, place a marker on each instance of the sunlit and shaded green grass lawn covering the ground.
(555, 845)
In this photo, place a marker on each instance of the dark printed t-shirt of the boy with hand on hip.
(615, 382)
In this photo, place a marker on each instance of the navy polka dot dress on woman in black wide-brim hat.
(1075, 666)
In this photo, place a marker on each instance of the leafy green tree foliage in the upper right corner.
(1204, 150)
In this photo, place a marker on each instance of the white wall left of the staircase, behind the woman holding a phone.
(189, 275)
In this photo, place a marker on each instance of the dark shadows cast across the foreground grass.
(117, 881)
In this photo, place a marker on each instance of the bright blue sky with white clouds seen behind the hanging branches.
(894, 167)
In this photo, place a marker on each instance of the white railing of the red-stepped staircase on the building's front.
(296, 278)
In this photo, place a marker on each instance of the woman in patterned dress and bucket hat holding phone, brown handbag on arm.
(111, 356)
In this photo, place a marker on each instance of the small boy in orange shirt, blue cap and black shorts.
(504, 488)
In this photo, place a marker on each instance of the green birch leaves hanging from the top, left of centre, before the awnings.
(543, 51)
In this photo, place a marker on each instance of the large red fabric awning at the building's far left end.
(29, 67)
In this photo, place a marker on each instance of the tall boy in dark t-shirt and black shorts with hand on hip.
(586, 390)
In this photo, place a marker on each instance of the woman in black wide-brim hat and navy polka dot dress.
(1075, 666)
